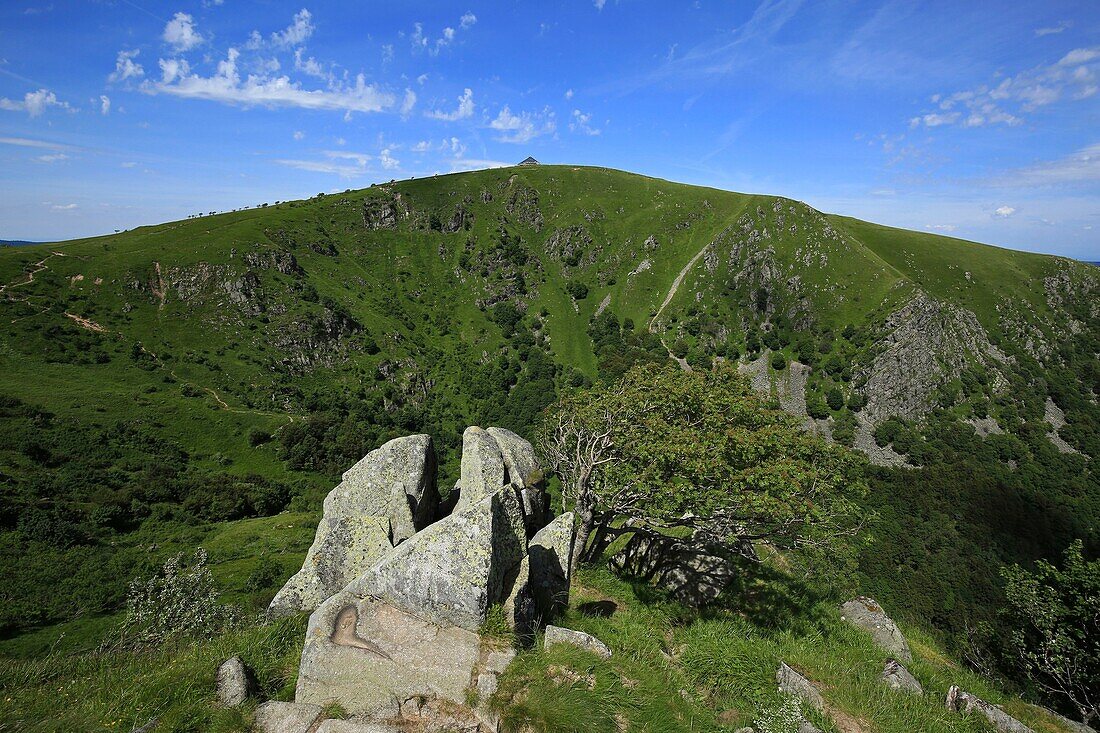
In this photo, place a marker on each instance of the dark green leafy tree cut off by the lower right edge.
(1055, 617)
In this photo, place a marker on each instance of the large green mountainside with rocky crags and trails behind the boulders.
(205, 382)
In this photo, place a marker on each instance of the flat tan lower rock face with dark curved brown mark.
(369, 655)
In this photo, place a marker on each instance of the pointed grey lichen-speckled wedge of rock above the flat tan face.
(454, 572)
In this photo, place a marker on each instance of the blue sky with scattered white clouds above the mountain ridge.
(976, 119)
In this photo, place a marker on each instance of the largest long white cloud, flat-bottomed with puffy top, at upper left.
(227, 87)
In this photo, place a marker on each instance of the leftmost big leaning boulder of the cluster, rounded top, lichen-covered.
(382, 501)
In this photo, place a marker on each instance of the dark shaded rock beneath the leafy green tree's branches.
(689, 572)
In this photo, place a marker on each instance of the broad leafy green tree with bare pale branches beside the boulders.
(666, 451)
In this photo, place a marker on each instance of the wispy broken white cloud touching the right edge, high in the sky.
(1076, 76)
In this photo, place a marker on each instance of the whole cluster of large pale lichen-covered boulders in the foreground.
(401, 589)
